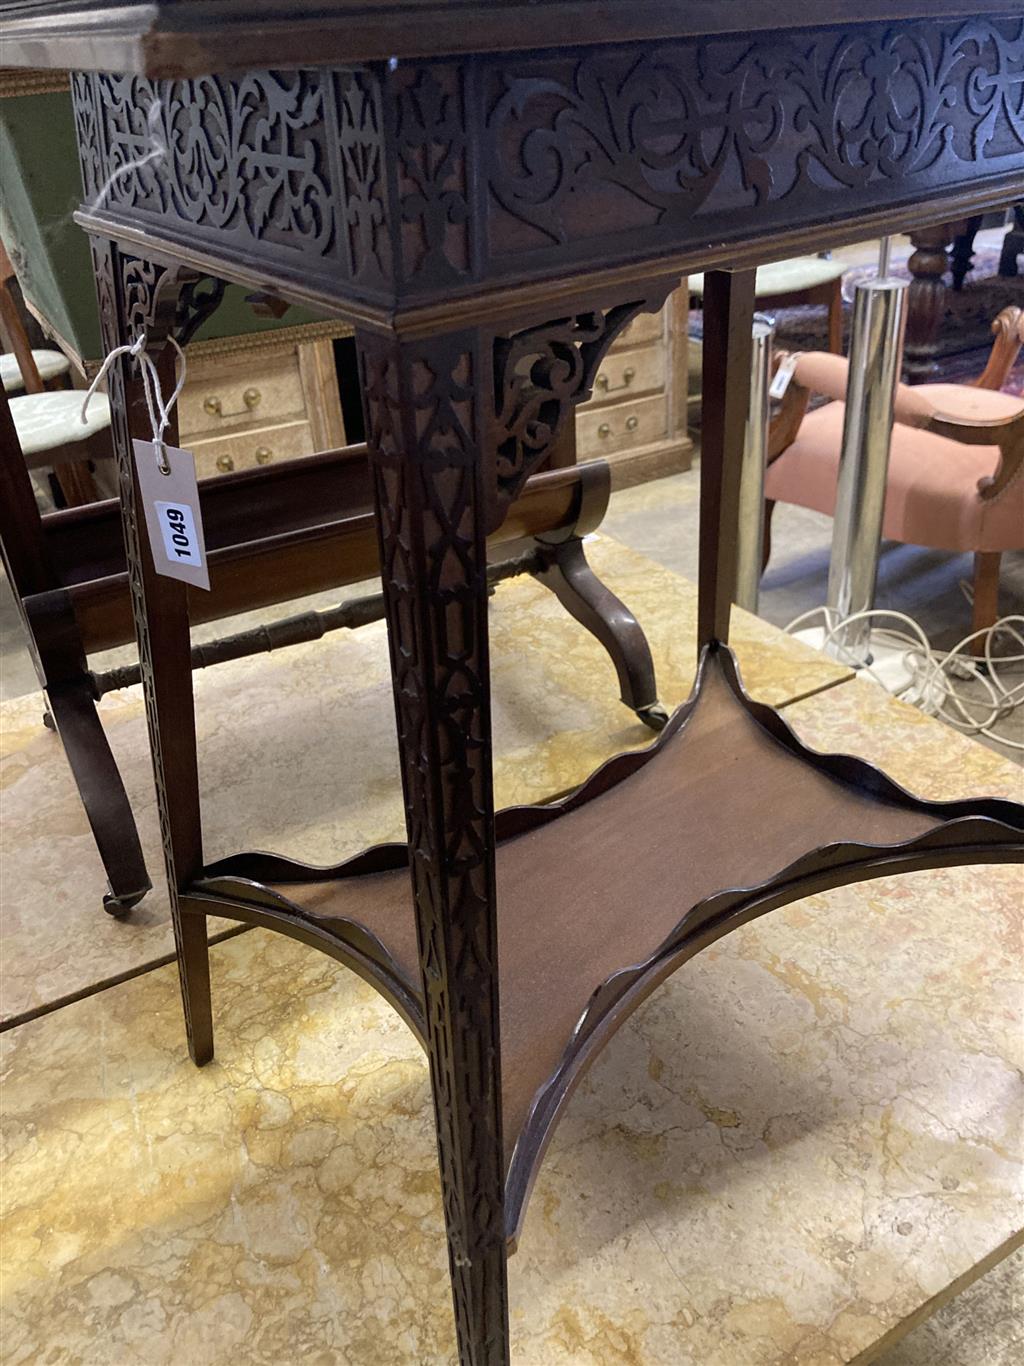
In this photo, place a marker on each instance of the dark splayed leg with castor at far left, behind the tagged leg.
(73, 711)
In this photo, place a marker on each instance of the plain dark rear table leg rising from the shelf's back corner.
(728, 353)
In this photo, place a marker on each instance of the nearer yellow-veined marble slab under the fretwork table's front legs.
(799, 1145)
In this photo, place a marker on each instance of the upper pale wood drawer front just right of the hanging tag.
(227, 397)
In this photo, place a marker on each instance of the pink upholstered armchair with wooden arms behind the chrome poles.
(956, 464)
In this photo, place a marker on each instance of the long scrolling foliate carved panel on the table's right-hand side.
(644, 141)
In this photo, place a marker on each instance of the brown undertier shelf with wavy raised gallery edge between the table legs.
(601, 895)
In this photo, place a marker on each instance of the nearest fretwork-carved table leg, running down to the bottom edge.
(425, 417)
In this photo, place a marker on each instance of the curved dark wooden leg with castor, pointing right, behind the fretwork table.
(596, 607)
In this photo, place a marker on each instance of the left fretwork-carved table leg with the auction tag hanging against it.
(137, 296)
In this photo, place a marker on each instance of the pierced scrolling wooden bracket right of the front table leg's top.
(540, 376)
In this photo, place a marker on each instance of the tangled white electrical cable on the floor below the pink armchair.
(932, 673)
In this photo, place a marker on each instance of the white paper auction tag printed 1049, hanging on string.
(173, 514)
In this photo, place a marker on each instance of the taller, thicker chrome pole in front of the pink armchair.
(876, 353)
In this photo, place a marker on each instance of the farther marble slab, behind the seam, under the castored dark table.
(297, 753)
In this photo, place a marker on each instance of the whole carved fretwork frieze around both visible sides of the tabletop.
(428, 178)
